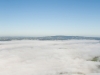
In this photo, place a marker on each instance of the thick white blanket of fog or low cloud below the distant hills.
(34, 57)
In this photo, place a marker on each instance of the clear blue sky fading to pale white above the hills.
(49, 17)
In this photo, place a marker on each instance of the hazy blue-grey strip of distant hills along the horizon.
(49, 38)
